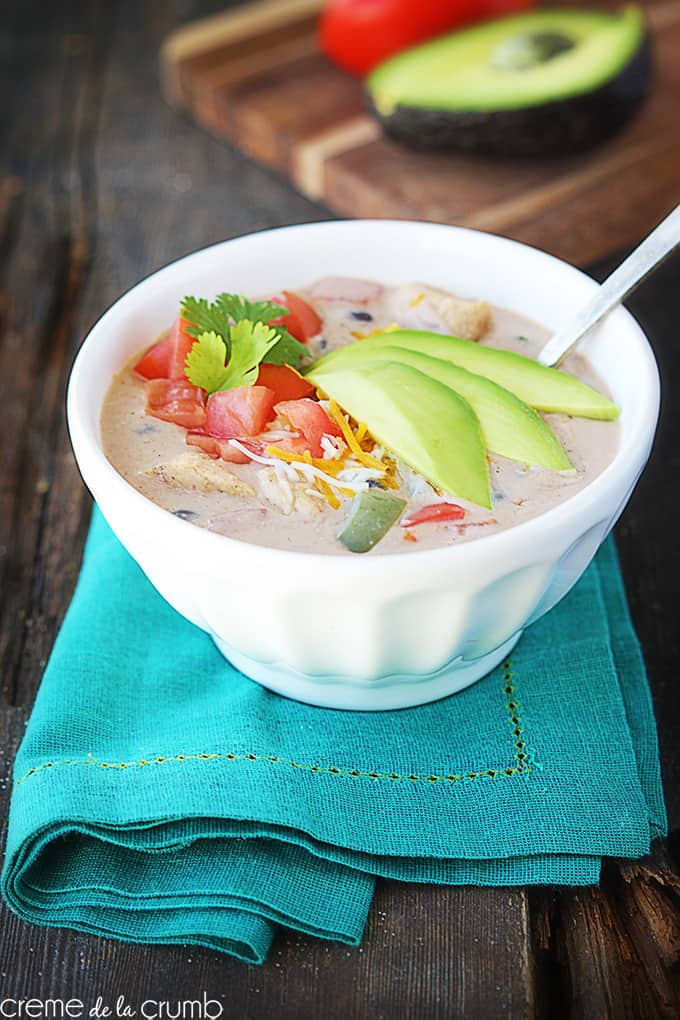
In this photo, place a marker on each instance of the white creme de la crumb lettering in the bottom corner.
(76, 1009)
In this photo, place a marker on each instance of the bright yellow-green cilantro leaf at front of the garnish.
(249, 343)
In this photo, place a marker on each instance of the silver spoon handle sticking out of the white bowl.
(617, 287)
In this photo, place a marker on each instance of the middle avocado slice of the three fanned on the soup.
(511, 429)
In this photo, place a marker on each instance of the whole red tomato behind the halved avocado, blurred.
(360, 34)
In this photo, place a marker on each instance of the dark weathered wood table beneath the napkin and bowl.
(101, 184)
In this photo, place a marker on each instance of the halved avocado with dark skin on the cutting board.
(542, 83)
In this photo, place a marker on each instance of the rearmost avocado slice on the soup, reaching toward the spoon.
(544, 389)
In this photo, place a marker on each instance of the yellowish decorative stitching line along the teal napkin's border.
(521, 754)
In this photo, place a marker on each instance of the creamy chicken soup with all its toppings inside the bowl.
(355, 418)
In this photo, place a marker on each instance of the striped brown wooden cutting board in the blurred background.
(255, 77)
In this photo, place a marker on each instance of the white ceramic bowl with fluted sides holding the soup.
(368, 632)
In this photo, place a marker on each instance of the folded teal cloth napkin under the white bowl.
(163, 797)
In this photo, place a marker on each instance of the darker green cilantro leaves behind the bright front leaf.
(227, 311)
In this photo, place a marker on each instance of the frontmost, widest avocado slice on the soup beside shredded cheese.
(425, 423)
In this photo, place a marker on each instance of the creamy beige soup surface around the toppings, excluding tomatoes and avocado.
(271, 503)
